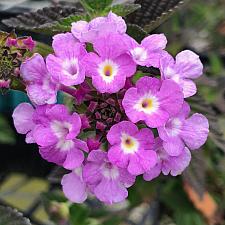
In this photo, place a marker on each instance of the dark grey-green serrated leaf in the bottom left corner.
(9, 216)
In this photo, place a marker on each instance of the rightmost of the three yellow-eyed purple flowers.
(153, 101)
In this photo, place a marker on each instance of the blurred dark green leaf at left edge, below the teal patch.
(7, 136)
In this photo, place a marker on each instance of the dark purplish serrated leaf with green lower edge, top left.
(45, 20)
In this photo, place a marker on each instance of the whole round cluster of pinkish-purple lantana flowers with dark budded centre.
(117, 129)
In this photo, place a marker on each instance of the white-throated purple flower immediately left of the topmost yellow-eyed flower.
(66, 66)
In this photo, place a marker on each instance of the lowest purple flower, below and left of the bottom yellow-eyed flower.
(100, 174)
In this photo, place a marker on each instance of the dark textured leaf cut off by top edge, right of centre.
(153, 12)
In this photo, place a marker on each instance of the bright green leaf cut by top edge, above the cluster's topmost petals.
(96, 5)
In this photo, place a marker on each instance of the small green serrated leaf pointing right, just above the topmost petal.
(123, 9)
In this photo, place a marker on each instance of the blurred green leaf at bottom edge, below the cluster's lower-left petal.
(79, 215)
